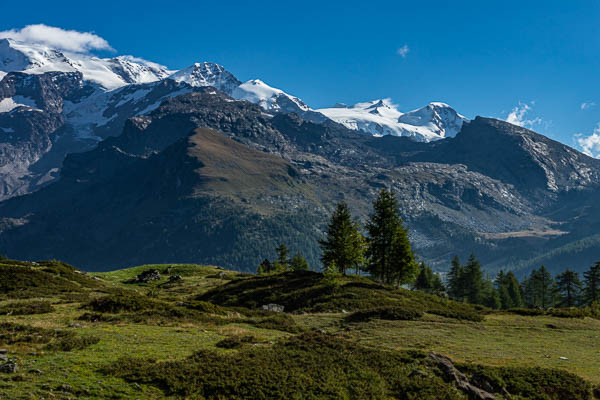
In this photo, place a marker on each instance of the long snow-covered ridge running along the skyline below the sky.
(432, 122)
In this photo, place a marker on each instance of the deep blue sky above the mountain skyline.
(483, 58)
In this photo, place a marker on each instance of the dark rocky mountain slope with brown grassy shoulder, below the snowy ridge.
(230, 198)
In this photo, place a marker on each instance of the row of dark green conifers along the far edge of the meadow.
(385, 253)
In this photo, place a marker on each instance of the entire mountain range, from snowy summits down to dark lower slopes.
(113, 162)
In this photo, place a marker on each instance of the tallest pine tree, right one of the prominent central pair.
(391, 259)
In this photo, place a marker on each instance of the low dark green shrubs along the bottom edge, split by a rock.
(315, 366)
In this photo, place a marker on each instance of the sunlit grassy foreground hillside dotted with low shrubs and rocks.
(73, 334)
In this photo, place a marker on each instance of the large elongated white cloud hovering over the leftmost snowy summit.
(79, 42)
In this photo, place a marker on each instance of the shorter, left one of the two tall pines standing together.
(344, 245)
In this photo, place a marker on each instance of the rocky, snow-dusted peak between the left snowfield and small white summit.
(207, 74)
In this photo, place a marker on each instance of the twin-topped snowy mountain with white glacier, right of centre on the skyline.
(380, 117)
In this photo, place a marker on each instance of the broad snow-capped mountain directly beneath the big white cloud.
(108, 73)
